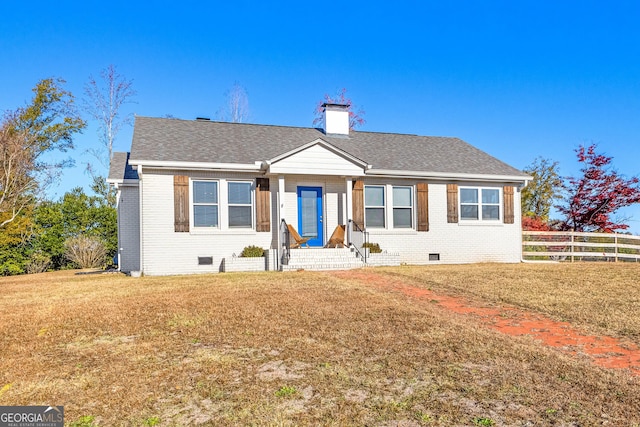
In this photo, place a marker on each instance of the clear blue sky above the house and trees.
(518, 79)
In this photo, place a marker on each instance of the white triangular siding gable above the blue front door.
(316, 160)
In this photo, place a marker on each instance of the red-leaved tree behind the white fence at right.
(594, 197)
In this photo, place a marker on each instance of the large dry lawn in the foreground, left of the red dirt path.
(281, 349)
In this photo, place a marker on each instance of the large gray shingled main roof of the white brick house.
(156, 139)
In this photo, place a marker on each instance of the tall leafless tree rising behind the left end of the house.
(105, 97)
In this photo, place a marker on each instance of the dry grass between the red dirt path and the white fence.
(602, 298)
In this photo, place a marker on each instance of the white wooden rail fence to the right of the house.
(573, 246)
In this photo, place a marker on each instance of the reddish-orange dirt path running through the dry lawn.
(604, 351)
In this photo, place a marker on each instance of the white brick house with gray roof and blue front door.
(192, 194)
